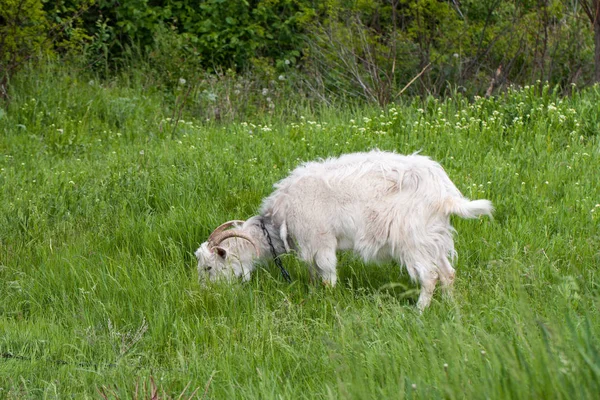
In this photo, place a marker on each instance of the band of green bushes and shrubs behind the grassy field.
(368, 49)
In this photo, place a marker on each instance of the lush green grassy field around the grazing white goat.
(103, 201)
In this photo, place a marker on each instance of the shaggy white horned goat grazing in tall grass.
(381, 205)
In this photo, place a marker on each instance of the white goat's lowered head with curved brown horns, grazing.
(219, 258)
